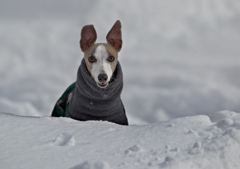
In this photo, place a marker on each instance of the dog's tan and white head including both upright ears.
(101, 58)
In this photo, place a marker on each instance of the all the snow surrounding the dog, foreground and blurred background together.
(180, 62)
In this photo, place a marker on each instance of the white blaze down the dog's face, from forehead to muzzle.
(101, 65)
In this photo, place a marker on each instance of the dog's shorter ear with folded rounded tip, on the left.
(88, 37)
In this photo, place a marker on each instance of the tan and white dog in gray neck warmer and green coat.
(96, 93)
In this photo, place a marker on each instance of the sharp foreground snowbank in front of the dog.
(195, 142)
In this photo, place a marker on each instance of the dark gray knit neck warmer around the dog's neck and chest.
(89, 102)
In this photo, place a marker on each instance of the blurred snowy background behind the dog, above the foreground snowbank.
(179, 58)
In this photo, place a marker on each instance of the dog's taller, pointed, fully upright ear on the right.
(114, 36)
